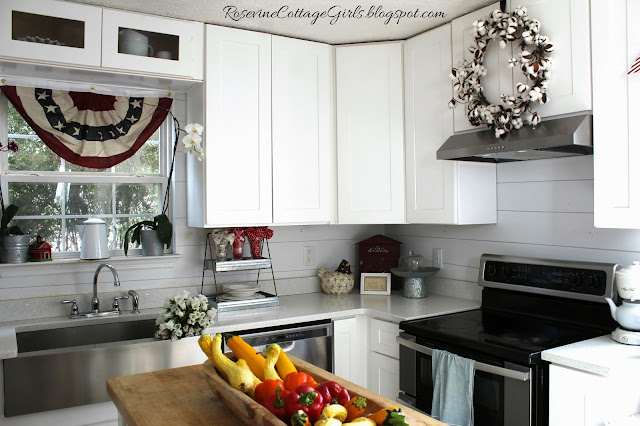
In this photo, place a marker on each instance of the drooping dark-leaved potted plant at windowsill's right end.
(151, 235)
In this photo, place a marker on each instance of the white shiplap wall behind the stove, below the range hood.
(545, 210)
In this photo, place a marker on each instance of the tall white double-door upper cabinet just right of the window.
(270, 132)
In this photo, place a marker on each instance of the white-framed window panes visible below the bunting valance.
(54, 195)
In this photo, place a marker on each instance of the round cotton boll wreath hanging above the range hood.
(533, 60)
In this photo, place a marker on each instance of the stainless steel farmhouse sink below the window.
(65, 367)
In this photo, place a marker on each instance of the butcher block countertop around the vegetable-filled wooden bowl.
(181, 396)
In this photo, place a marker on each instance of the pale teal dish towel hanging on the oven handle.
(452, 388)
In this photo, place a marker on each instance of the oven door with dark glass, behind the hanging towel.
(503, 394)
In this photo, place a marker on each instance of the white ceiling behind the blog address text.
(345, 30)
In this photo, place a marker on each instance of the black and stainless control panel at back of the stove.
(582, 280)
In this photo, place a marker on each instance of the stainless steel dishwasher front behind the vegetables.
(311, 341)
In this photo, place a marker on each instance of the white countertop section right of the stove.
(600, 355)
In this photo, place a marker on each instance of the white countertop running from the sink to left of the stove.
(292, 309)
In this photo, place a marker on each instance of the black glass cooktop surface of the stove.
(518, 331)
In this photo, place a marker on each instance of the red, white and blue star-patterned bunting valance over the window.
(89, 129)
